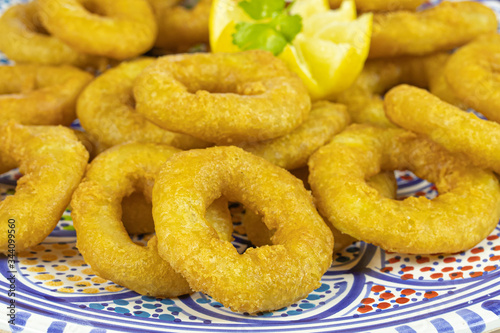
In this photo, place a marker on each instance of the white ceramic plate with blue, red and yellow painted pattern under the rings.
(366, 289)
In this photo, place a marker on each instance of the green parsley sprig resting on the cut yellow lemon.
(273, 28)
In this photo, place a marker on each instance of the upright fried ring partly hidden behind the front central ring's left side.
(102, 238)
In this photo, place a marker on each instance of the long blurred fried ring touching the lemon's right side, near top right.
(440, 28)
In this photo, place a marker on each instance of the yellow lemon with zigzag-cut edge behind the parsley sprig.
(329, 52)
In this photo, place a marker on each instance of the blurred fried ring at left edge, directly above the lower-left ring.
(40, 95)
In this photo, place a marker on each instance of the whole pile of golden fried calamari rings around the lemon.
(169, 142)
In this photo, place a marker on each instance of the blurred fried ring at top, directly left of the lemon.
(179, 27)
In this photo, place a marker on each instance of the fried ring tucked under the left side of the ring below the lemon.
(106, 110)
